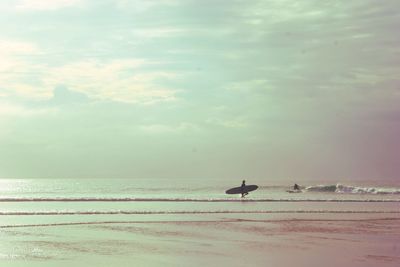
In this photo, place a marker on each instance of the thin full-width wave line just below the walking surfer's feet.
(113, 199)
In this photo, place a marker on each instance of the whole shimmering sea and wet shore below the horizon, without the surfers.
(159, 222)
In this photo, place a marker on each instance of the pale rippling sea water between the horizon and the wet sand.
(146, 196)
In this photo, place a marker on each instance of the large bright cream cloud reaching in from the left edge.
(106, 80)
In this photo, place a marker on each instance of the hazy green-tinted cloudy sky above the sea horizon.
(266, 89)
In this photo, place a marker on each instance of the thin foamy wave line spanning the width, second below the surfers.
(128, 212)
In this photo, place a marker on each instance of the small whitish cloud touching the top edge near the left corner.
(46, 4)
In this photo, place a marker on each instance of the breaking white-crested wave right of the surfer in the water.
(339, 188)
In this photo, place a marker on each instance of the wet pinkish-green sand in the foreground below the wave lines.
(205, 239)
